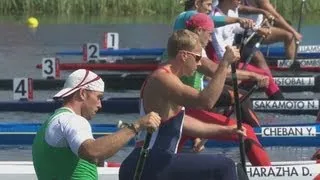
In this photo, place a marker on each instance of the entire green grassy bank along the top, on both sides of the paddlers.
(289, 8)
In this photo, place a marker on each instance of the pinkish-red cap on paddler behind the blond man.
(200, 20)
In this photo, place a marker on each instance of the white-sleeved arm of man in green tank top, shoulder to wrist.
(78, 133)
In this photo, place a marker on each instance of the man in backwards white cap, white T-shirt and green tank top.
(64, 147)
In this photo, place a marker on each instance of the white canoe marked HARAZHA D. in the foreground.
(293, 170)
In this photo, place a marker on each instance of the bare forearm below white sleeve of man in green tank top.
(105, 146)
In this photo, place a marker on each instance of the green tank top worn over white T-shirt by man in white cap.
(66, 164)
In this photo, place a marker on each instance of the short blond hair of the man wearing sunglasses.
(182, 40)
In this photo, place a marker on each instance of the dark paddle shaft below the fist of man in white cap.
(142, 158)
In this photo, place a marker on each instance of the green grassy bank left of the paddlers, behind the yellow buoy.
(90, 7)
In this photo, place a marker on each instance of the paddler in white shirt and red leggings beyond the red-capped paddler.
(224, 36)
